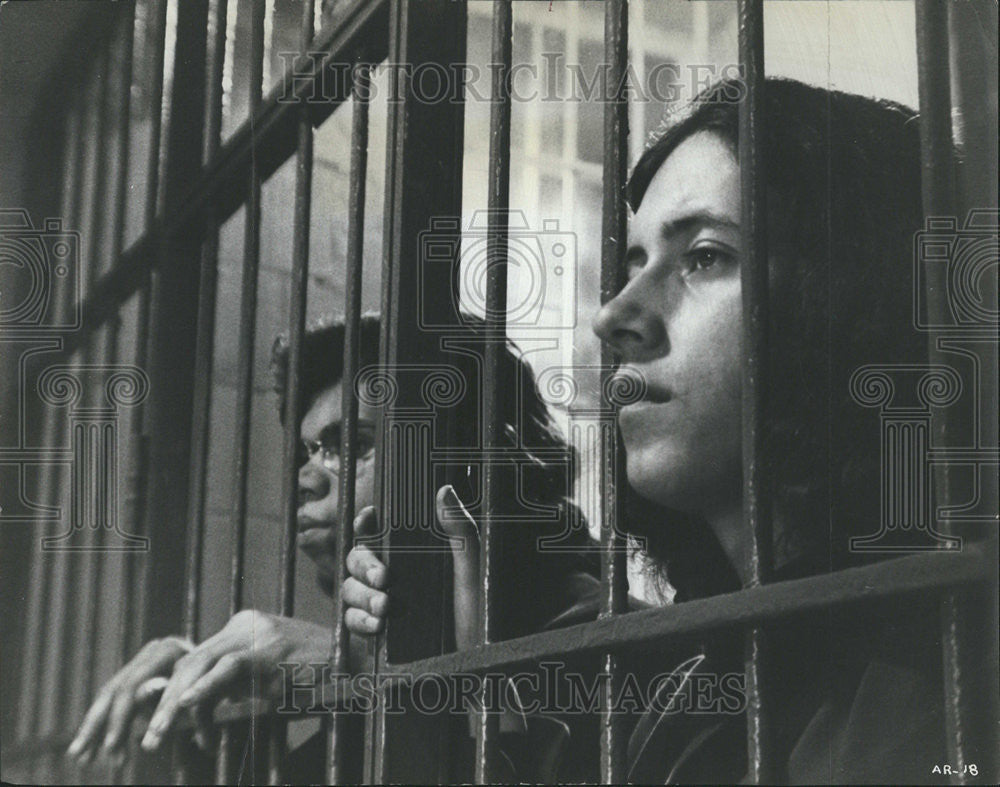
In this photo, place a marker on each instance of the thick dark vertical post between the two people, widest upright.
(423, 190)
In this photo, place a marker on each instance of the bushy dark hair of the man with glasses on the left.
(536, 577)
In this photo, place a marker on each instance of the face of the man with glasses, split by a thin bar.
(318, 478)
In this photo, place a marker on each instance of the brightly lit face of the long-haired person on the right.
(677, 324)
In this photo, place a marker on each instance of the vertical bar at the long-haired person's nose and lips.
(614, 569)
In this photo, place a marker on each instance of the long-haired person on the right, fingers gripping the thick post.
(856, 695)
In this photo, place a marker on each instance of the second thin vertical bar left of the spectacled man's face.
(244, 382)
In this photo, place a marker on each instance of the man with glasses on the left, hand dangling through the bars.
(190, 678)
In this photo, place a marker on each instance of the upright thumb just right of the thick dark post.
(463, 534)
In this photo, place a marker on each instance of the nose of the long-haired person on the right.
(633, 326)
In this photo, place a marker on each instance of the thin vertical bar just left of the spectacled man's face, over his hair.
(296, 327)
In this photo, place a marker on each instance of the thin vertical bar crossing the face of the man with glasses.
(336, 750)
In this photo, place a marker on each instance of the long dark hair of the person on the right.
(843, 177)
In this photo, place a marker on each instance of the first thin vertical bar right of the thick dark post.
(494, 487)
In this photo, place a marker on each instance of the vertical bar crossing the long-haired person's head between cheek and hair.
(754, 276)
